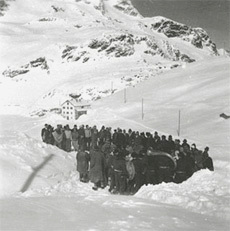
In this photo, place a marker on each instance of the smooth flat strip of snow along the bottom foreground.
(111, 212)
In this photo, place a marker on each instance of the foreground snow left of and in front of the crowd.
(40, 190)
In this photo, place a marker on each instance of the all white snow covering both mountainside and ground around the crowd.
(40, 189)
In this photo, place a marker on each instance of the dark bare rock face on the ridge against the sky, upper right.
(196, 36)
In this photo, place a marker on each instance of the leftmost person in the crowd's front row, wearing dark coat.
(83, 158)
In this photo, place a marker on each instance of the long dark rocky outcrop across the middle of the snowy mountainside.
(124, 45)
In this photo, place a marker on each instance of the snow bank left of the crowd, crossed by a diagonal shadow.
(27, 163)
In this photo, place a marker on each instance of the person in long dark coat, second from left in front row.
(97, 163)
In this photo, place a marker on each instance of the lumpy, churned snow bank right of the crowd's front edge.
(205, 192)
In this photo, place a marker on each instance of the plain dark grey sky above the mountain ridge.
(211, 15)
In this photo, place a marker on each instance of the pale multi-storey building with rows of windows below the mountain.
(72, 109)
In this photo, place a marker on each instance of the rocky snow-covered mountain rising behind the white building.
(51, 49)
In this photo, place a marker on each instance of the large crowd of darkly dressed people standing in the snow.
(126, 160)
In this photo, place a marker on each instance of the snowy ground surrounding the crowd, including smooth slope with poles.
(197, 201)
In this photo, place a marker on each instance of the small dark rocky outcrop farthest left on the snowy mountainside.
(40, 62)
